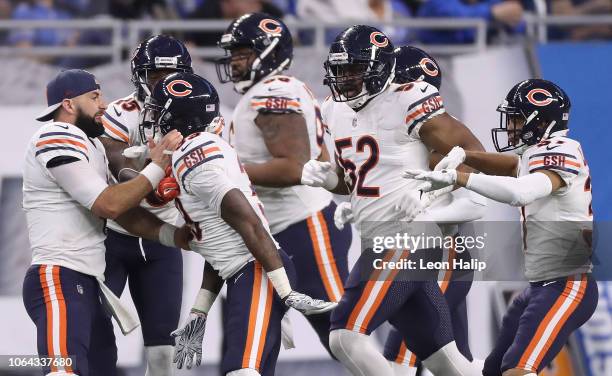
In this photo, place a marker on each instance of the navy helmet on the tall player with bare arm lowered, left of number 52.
(270, 40)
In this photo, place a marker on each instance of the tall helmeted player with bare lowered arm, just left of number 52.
(276, 128)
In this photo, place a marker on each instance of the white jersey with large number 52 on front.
(377, 143)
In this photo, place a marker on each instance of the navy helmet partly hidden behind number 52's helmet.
(414, 64)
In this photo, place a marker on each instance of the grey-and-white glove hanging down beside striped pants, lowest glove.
(189, 340)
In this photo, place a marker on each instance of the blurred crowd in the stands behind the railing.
(504, 15)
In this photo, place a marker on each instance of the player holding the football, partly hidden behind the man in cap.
(155, 272)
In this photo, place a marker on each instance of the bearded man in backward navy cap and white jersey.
(67, 197)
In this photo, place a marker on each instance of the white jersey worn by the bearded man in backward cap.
(61, 230)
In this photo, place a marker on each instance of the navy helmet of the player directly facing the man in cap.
(183, 101)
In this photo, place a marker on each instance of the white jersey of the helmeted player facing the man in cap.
(206, 168)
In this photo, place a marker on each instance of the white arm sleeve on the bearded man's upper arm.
(80, 181)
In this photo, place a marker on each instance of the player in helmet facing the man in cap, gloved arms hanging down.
(231, 233)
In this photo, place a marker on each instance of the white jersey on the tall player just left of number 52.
(279, 94)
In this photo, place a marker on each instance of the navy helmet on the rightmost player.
(542, 106)
